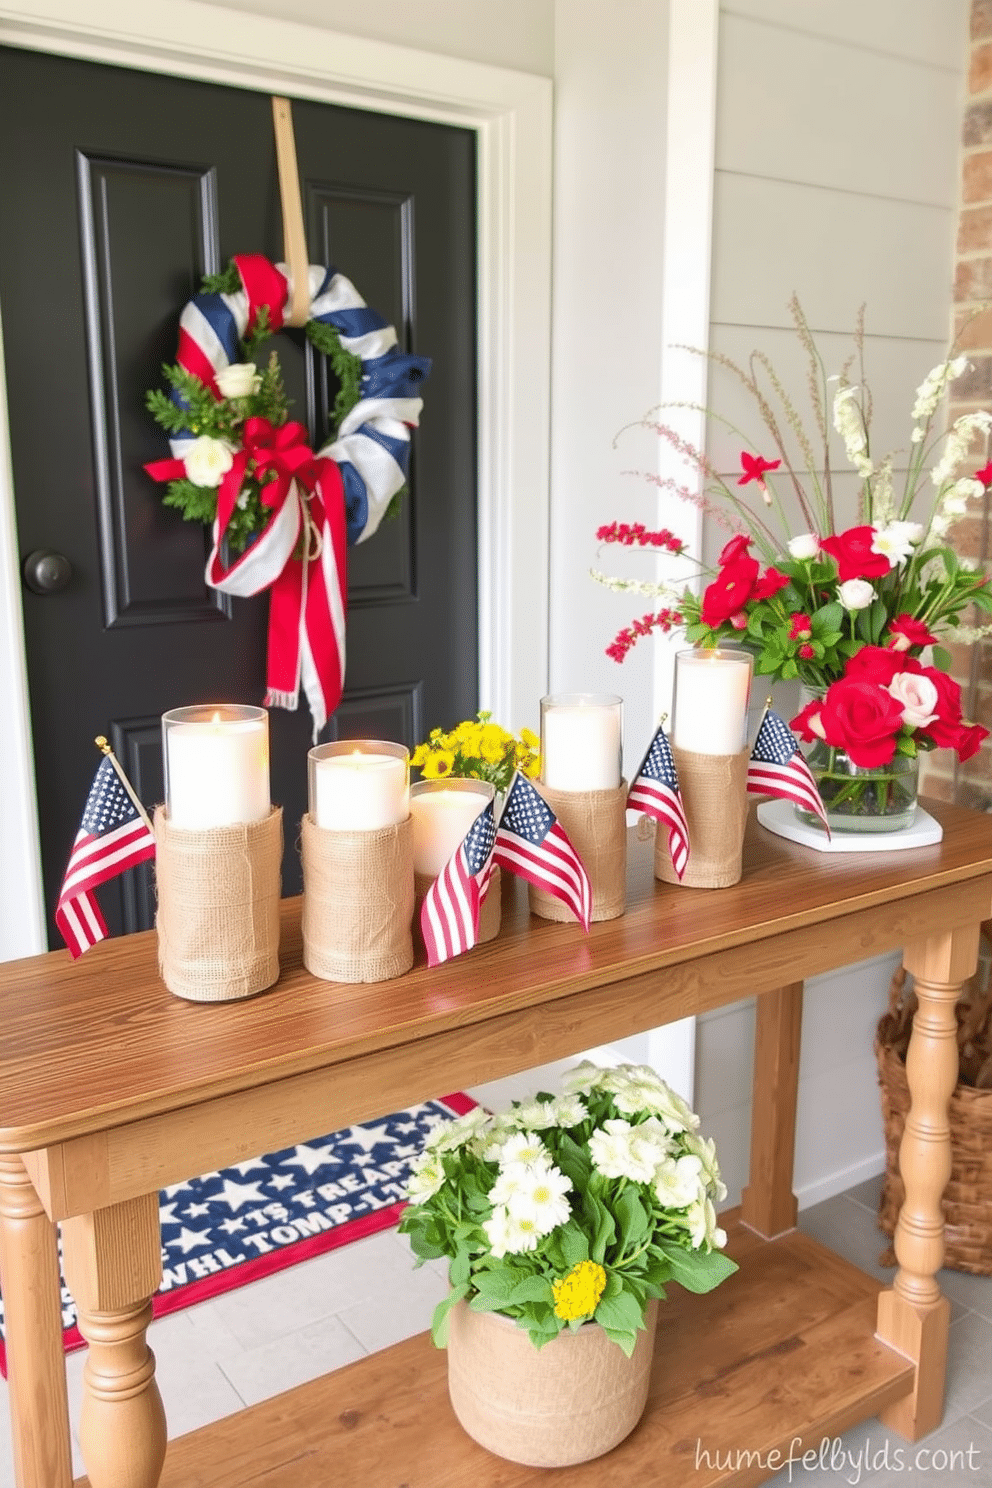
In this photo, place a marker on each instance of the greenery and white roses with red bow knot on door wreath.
(251, 414)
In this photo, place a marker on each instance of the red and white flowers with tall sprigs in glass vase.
(848, 612)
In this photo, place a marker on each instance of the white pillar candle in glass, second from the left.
(356, 786)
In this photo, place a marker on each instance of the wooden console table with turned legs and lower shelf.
(111, 1088)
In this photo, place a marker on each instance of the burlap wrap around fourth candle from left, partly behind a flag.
(596, 825)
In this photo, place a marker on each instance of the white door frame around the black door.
(512, 117)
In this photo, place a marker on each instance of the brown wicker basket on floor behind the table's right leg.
(967, 1200)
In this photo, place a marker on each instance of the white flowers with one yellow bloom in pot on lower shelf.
(572, 1209)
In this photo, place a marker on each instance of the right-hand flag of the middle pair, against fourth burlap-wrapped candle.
(532, 841)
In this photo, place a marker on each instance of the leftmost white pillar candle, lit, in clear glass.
(216, 767)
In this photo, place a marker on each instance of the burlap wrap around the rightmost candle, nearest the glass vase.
(715, 791)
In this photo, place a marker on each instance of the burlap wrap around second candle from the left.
(358, 902)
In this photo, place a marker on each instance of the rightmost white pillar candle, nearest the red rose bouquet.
(712, 702)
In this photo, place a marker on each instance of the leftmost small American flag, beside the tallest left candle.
(114, 836)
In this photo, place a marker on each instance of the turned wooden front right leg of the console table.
(914, 1316)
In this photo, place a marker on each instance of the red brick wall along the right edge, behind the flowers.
(944, 776)
